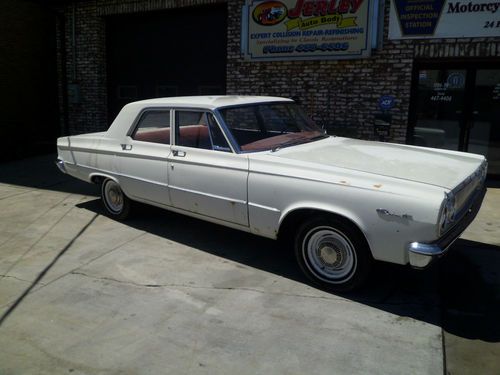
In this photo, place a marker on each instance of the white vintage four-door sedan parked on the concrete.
(258, 164)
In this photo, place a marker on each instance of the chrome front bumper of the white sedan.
(422, 254)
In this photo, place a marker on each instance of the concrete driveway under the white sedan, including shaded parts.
(163, 293)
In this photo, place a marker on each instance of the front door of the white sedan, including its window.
(205, 176)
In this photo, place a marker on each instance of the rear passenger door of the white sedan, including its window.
(143, 156)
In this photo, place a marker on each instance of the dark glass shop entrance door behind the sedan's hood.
(457, 107)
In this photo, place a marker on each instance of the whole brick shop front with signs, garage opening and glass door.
(404, 84)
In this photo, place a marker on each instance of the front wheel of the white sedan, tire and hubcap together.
(333, 254)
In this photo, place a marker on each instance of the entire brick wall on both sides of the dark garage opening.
(342, 93)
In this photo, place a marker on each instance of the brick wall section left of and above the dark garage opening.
(90, 114)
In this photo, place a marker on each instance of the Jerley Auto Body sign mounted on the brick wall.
(306, 29)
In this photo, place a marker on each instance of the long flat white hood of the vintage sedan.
(426, 165)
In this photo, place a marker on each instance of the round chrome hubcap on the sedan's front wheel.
(329, 254)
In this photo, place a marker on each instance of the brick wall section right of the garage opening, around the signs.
(345, 93)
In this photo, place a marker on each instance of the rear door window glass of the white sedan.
(154, 127)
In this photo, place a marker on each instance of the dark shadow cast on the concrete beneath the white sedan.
(458, 293)
